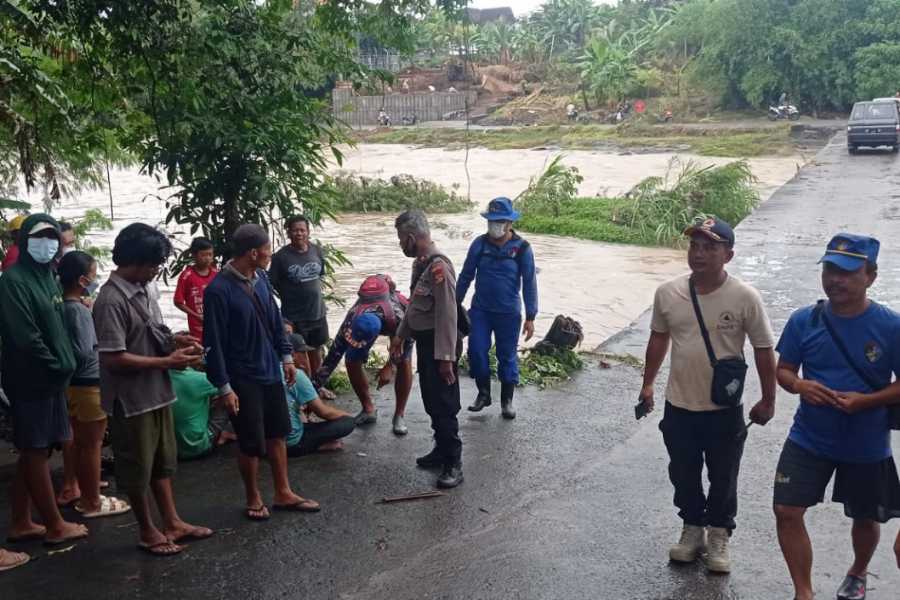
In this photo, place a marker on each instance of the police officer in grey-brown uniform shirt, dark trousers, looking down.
(431, 319)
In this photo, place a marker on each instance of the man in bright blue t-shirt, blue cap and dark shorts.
(841, 425)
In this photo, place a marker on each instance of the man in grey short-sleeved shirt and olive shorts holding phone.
(136, 351)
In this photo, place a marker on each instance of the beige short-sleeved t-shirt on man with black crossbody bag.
(732, 313)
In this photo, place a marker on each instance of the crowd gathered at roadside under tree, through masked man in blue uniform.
(81, 361)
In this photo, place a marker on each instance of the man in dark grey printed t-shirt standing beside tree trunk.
(296, 274)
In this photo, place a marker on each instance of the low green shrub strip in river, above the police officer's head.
(365, 194)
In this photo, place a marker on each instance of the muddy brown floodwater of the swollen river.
(604, 286)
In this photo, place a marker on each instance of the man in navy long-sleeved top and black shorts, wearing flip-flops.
(247, 351)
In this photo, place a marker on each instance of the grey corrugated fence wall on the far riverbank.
(425, 106)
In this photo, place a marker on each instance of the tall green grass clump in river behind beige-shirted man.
(654, 212)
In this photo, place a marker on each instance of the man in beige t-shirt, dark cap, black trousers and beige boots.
(695, 429)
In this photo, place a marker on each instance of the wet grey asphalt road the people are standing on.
(569, 501)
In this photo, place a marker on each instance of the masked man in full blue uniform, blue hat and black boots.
(502, 264)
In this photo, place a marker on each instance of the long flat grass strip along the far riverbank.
(706, 141)
